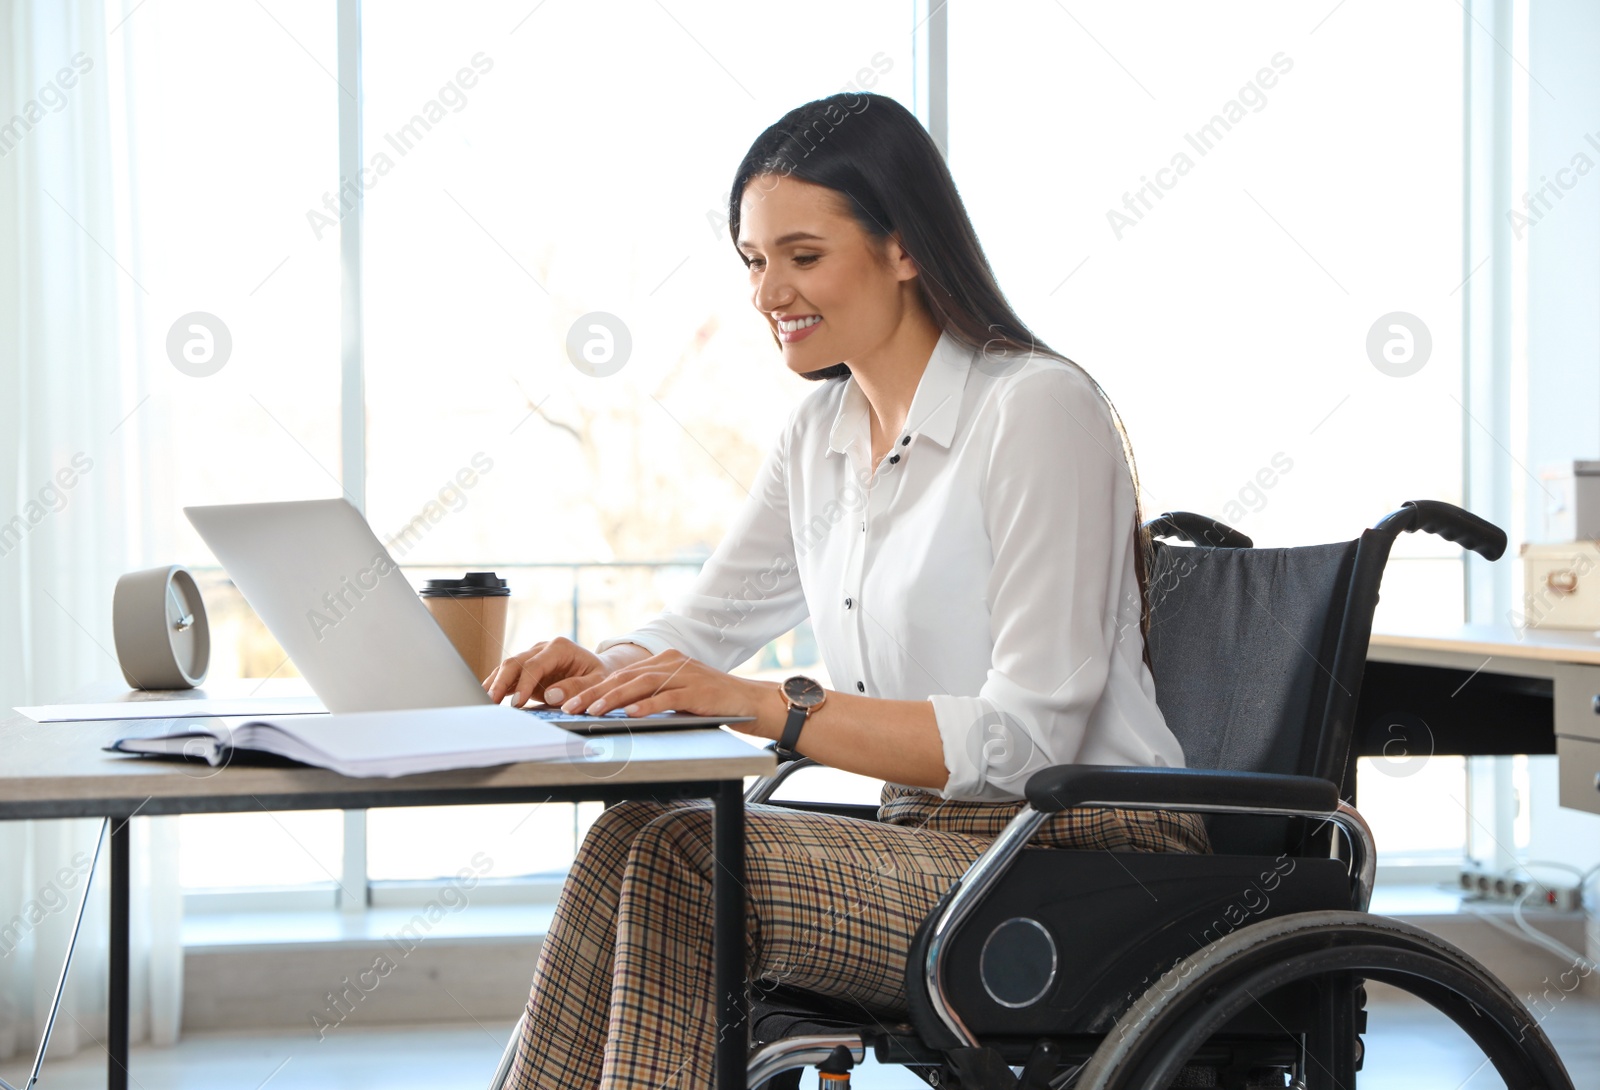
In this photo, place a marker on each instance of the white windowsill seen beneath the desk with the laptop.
(220, 932)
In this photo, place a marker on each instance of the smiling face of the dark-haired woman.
(828, 289)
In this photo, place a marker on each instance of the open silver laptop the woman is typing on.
(350, 620)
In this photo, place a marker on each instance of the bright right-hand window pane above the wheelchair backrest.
(1239, 233)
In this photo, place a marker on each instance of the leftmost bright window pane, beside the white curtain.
(233, 134)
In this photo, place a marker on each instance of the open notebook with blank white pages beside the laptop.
(391, 743)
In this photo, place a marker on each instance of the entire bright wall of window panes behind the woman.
(1230, 223)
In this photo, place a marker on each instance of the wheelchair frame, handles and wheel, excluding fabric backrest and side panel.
(1164, 1027)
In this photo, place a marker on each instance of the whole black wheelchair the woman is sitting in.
(1054, 969)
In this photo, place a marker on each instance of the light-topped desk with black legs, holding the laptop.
(58, 771)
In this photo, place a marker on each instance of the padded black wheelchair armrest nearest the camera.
(1206, 790)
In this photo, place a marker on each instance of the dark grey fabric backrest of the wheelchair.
(1242, 647)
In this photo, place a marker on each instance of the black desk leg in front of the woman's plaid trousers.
(734, 1009)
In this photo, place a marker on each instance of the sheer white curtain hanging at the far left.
(70, 491)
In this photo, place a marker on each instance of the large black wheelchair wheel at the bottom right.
(1199, 996)
